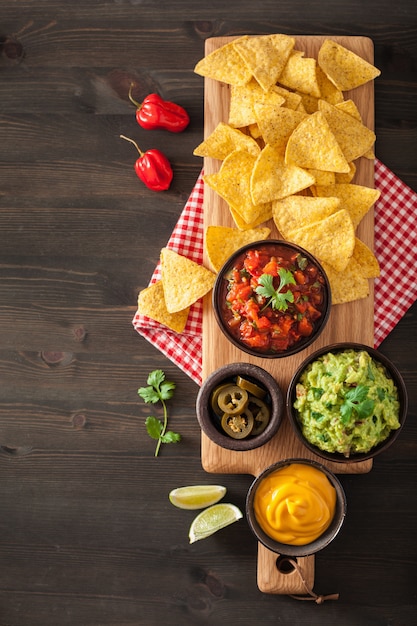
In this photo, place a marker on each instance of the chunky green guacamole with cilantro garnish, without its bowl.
(346, 403)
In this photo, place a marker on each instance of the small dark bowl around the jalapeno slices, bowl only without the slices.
(210, 420)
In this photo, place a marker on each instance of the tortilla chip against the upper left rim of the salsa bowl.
(221, 242)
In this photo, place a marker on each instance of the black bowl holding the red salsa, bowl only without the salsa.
(222, 310)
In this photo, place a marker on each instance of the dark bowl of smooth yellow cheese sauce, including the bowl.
(295, 507)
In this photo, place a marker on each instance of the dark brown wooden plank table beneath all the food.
(87, 534)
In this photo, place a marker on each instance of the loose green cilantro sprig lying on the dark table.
(159, 390)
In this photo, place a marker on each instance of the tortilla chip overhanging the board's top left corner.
(224, 64)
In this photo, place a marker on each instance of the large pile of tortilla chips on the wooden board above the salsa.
(288, 152)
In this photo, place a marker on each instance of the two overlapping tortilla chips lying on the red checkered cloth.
(182, 283)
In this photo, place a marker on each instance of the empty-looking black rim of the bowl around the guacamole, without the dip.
(391, 371)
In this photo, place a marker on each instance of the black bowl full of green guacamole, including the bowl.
(347, 402)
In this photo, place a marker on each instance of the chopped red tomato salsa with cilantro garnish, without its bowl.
(274, 298)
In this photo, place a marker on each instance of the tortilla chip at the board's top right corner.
(343, 67)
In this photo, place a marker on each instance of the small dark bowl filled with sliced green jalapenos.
(240, 406)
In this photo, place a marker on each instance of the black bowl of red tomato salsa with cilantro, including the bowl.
(271, 299)
